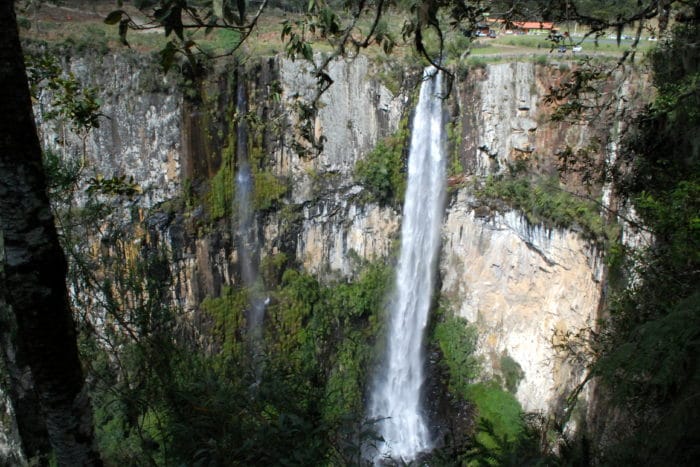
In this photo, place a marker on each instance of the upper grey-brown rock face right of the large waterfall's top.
(504, 120)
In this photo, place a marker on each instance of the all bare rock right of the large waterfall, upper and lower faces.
(524, 286)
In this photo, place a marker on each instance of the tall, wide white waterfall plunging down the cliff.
(396, 393)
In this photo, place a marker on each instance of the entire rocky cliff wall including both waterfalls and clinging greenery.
(276, 226)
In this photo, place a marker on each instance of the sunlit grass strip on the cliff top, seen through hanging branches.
(85, 30)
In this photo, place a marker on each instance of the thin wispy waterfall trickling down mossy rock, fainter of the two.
(248, 247)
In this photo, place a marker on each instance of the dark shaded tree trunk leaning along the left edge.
(34, 264)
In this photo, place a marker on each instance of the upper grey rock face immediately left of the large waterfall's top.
(353, 115)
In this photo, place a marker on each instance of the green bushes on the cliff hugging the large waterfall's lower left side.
(332, 328)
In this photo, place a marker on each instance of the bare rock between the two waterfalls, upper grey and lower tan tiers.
(336, 227)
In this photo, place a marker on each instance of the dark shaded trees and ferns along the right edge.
(647, 353)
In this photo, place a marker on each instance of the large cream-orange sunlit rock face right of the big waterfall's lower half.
(523, 286)
